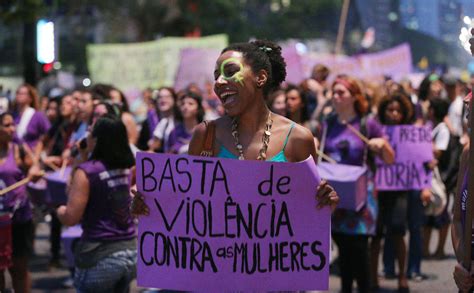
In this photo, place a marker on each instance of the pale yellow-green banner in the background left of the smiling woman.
(136, 66)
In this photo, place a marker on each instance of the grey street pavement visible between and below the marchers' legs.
(439, 272)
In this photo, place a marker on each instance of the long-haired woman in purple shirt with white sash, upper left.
(31, 124)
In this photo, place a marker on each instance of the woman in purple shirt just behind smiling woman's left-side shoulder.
(192, 113)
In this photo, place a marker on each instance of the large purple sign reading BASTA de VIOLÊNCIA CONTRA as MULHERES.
(219, 225)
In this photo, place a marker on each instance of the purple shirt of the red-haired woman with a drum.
(343, 145)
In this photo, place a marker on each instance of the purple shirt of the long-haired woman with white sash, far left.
(38, 126)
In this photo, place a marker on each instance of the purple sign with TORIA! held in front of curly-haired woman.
(413, 150)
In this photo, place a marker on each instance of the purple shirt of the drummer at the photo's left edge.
(16, 201)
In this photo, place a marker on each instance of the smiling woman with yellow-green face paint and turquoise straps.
(245, 73)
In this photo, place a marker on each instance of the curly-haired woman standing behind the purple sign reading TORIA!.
(396, 208)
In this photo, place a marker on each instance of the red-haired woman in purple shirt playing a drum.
(351, 230)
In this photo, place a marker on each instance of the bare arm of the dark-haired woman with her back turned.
(78, 196)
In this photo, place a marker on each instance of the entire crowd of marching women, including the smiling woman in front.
(95, 132)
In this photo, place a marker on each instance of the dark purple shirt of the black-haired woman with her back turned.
(107, 216)
